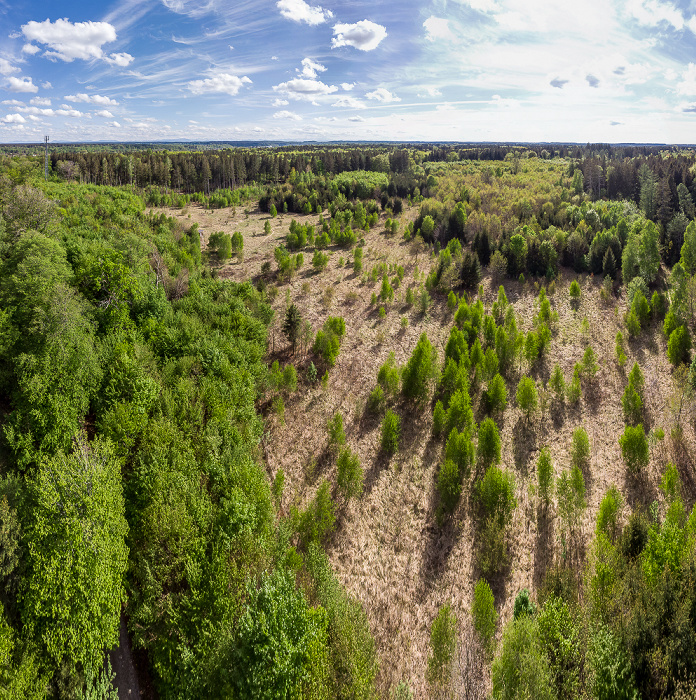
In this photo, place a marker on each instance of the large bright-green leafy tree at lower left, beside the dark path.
(77, 554)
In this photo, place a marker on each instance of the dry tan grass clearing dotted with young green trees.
(388, 548)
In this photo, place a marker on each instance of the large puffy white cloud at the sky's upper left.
(68, 41)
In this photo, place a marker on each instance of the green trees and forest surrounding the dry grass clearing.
(134, 377)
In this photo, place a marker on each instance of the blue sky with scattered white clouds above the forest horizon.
(446, 70)
